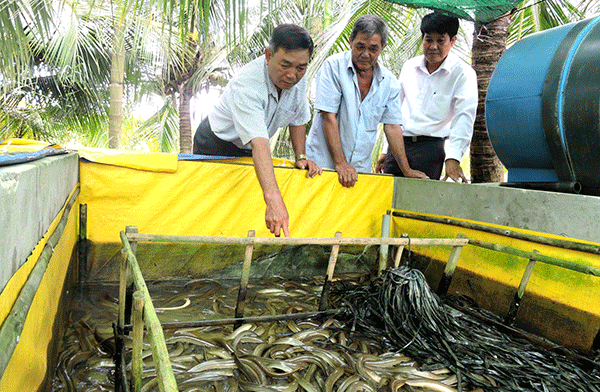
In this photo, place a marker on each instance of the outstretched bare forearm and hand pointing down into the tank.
(276, 215)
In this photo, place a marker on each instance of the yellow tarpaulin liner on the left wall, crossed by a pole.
(26, 370)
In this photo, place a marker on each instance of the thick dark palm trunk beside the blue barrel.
(489, 43)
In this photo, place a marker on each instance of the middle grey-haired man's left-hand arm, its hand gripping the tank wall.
(347, 174)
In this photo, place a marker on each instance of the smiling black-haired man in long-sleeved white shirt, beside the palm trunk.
(439, 102)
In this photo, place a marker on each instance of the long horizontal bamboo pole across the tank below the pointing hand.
(296, 240)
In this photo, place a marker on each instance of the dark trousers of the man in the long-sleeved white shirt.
(426, 154)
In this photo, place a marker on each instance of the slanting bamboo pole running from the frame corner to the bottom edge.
(160, 353)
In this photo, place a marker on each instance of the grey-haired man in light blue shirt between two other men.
(354, 94)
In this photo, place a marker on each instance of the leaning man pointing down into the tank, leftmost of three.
(266, 94)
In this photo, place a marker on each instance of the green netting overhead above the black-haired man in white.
(475, 10)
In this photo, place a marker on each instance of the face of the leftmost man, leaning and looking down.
(286, 67)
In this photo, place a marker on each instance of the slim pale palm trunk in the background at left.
(117, 72)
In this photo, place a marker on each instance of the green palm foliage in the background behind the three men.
(56, 62)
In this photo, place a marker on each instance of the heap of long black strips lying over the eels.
(407, 316)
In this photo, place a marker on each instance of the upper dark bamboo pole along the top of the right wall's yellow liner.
(559, 243)
